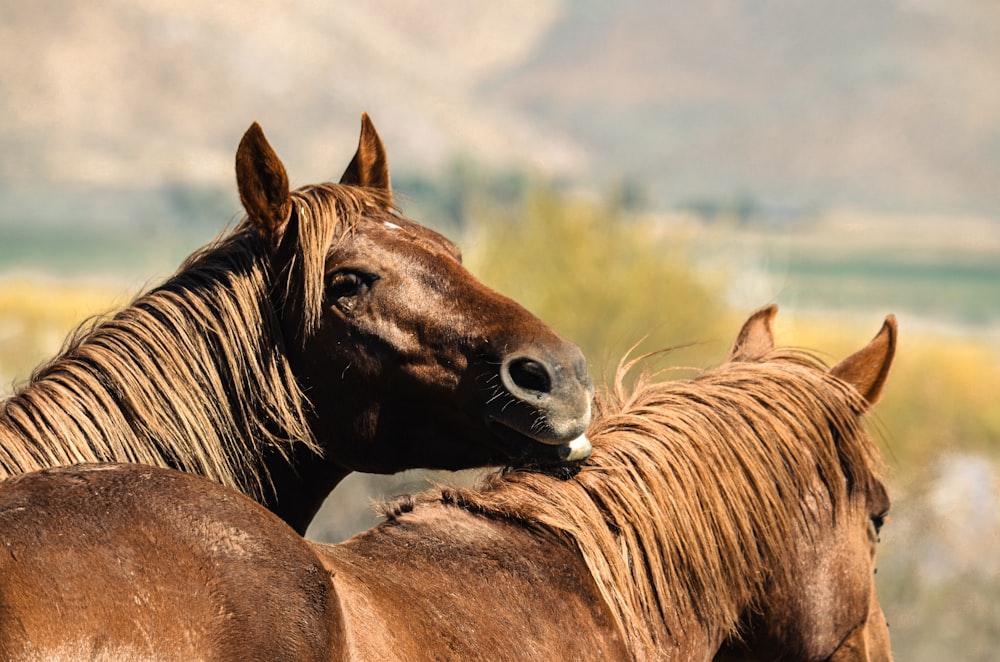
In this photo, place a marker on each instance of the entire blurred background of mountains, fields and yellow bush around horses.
(633, 172)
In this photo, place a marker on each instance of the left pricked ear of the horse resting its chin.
(263, 184)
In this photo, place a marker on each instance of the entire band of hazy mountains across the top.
(892, 105)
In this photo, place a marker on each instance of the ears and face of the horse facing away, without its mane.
(832, 611)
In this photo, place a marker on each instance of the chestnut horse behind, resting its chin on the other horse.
(325, 334)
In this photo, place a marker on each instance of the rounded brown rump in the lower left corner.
(133, 562)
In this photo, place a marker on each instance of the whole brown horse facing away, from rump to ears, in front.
(740, 503)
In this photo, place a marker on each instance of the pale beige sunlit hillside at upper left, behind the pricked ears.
(133, 92)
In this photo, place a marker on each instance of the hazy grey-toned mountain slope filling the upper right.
(891, 104)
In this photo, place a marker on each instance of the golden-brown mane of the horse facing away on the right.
(694, 488)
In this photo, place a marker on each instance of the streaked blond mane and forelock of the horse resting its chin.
(193, 375)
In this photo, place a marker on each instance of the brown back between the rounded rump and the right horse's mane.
(468, 588)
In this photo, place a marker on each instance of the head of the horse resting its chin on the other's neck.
(408, 360)
